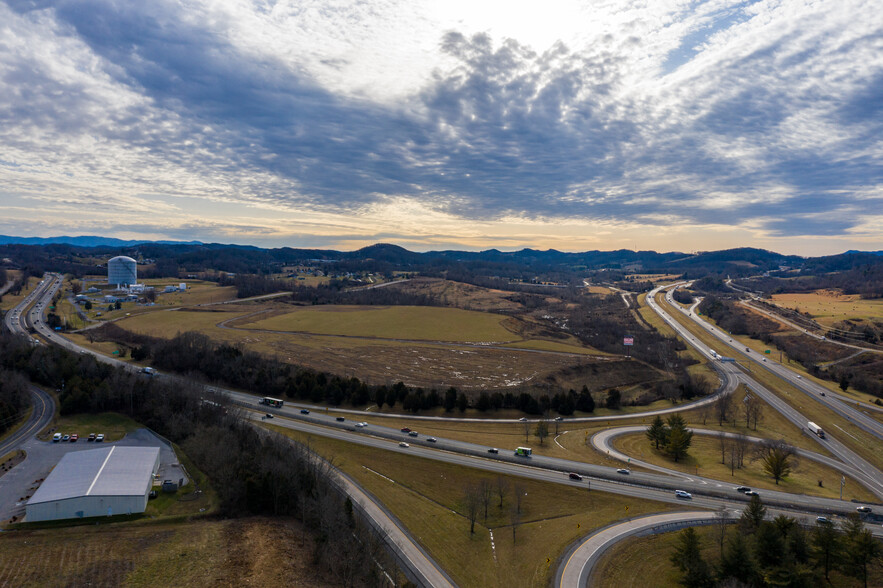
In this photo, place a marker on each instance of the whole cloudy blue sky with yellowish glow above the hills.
(648, 124)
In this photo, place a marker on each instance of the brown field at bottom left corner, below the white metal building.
(252, 551)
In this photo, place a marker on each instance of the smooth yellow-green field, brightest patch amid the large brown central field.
(421, 323)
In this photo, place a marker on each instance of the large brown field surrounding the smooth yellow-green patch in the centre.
(535, 362)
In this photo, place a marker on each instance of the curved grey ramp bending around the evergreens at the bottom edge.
(576, 567)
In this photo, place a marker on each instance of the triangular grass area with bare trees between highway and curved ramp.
(427, 497)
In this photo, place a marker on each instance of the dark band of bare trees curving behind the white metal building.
(253, 471)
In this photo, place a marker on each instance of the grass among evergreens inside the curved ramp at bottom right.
(644, 561)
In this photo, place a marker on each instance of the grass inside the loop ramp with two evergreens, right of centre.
(704, 460)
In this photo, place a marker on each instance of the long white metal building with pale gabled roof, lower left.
(98, 482)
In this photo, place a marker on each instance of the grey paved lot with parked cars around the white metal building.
(20, 483)
